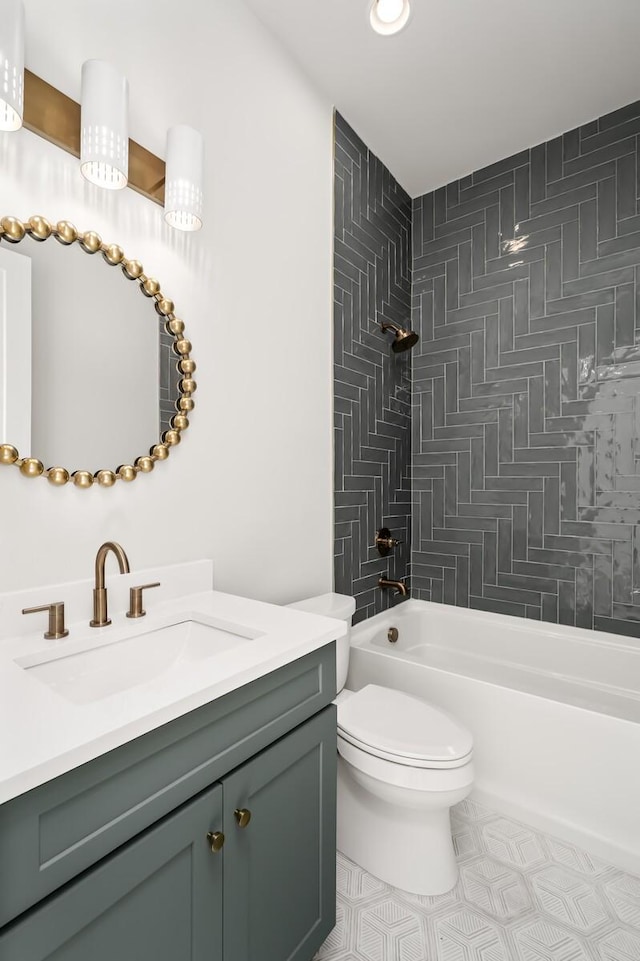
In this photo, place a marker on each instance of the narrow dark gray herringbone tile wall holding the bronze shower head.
(372, 386)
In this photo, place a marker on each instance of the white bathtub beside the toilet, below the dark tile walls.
(554, 713)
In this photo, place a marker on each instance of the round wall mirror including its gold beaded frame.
(91, 376)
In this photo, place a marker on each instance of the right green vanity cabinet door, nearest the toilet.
(279, 902)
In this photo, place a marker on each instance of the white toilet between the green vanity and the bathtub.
(402, 764)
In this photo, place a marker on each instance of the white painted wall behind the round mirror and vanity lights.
(250, 486)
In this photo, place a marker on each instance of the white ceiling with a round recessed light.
(467, 82)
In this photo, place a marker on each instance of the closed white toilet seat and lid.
(402, 729)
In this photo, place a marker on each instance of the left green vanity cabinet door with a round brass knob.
(158, 898)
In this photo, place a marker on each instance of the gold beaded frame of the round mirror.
(13, 230)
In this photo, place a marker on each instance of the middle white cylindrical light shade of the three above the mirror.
(104, 125)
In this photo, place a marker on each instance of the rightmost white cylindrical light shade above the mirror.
(183, 189)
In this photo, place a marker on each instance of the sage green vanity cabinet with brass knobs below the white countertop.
(161, 893)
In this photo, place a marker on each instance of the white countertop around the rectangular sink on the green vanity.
(44, 734)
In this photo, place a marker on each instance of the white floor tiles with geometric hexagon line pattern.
(521, 896)
